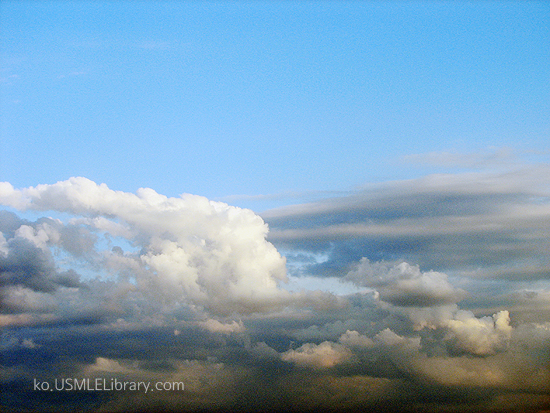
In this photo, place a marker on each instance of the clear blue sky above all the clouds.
(250, 98)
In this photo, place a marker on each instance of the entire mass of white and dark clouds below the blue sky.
(450, 309)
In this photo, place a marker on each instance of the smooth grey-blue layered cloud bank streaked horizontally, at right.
(494, 221)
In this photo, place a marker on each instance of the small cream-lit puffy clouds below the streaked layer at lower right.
(433, 299)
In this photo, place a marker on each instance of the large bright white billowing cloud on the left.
(193, 250)
